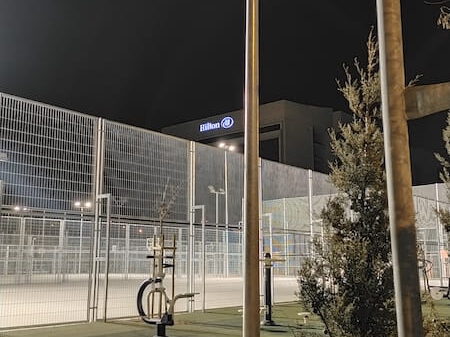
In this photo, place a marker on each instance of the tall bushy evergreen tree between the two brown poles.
(349, 280)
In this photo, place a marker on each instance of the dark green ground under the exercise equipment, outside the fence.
(215, 322)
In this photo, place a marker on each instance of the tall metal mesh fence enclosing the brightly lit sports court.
(55, 236)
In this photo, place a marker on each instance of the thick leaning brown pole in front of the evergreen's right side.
(398, 170)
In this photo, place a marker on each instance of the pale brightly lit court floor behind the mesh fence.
(50, 303)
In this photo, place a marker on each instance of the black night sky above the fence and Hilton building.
(154, 63)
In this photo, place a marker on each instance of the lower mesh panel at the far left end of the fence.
(44, 267)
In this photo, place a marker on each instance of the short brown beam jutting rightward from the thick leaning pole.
(424, 100)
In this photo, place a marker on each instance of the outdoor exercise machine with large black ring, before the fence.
(163, 257)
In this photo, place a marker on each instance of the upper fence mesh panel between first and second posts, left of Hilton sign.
(143, 169)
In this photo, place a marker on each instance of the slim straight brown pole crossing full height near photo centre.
(251, 183)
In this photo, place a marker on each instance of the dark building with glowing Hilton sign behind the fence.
(290, 133)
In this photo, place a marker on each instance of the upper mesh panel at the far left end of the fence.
(47, 155)
